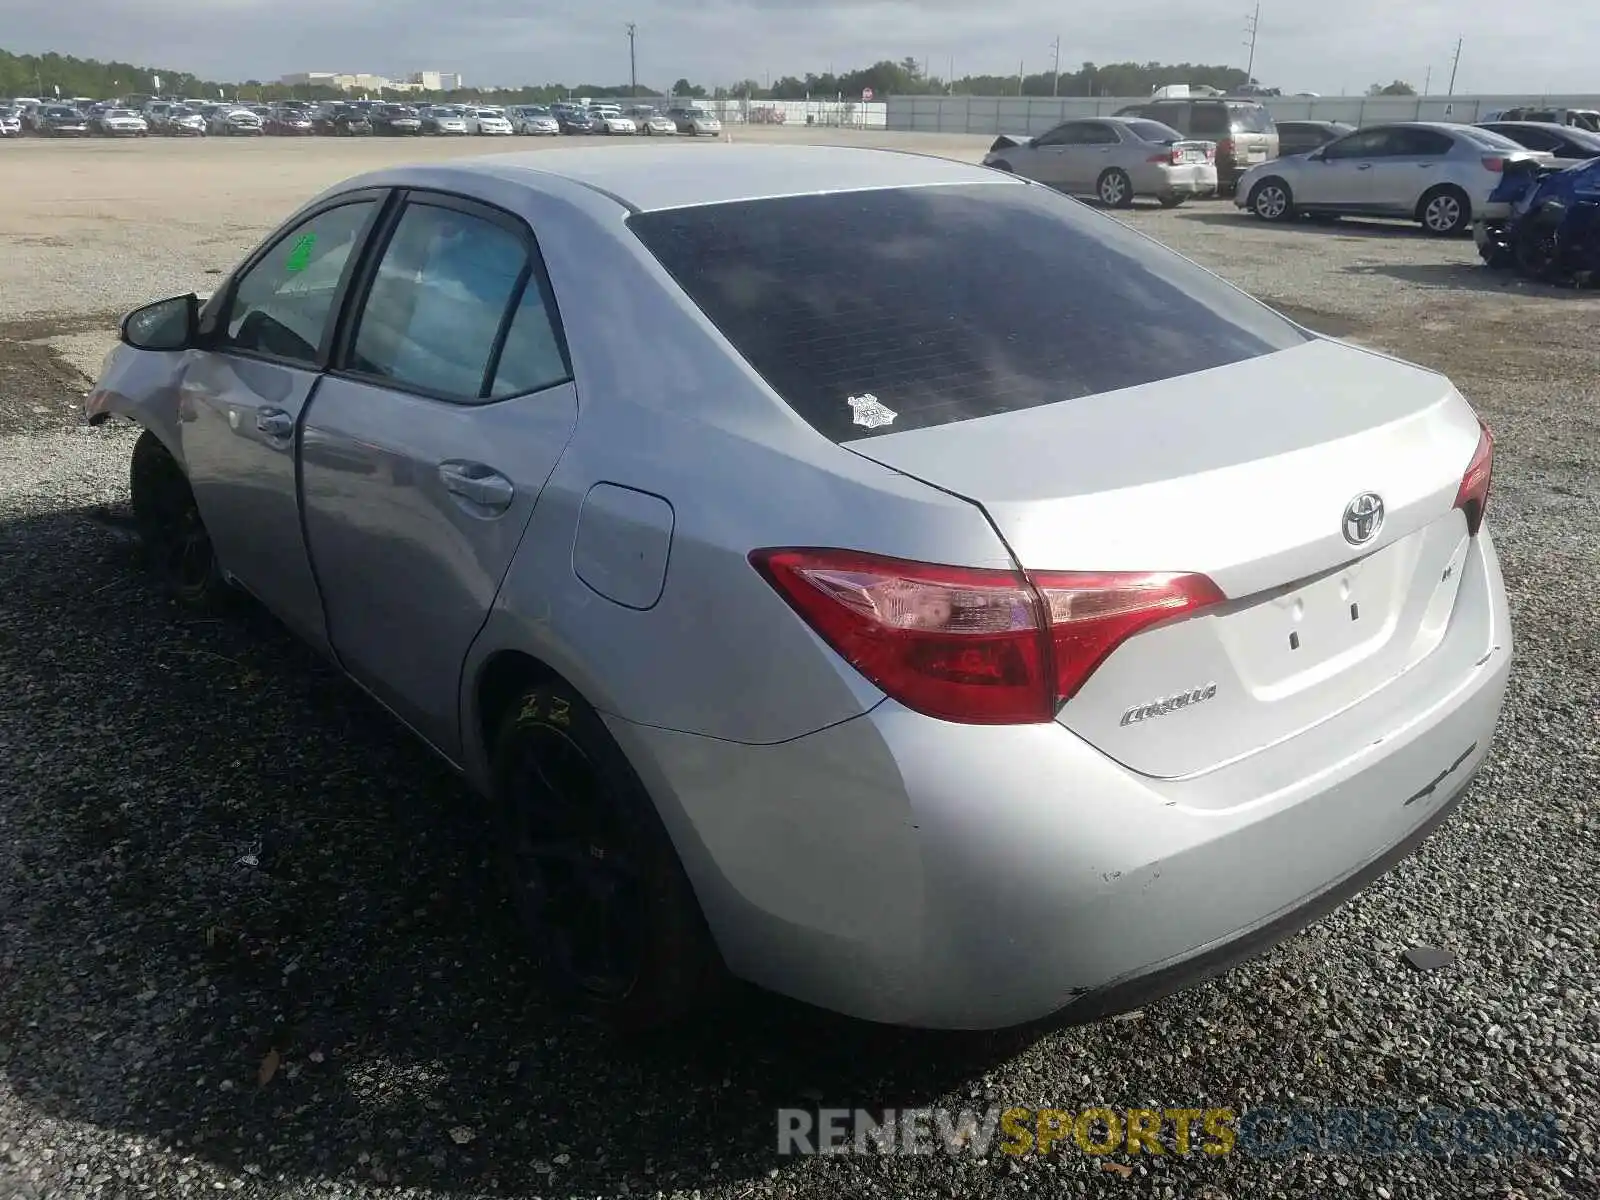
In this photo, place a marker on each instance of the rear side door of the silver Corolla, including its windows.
(447, 407)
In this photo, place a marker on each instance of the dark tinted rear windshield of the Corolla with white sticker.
(950, 303)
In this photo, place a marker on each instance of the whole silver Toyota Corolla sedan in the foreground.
(966, 612)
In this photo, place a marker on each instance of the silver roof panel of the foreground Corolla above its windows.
(655, 178)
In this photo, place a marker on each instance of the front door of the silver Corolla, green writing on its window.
(263, 345)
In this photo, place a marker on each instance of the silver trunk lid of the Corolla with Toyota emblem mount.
(1249, 482)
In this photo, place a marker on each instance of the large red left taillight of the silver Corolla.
(972, 646)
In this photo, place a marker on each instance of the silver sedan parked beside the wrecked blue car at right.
(1436, 174)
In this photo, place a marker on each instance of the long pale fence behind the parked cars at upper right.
(1036, 114)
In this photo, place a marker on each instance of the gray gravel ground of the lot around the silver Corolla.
(247, 945)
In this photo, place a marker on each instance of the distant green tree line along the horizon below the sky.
(44, 74)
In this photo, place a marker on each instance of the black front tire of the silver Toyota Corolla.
(172, 530)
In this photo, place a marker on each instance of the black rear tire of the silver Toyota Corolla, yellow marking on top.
(586, 862)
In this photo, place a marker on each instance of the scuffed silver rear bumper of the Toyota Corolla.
(911, 871)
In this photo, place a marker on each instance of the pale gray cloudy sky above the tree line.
(1305, 46)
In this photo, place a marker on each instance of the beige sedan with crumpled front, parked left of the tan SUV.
(1114, 159)
